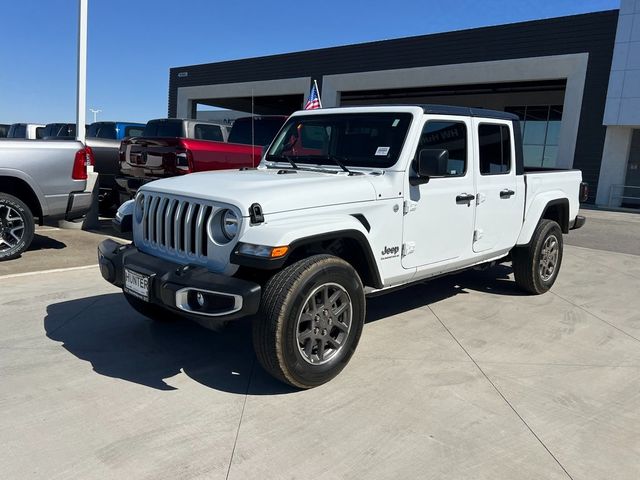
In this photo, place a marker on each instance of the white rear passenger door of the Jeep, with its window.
(499, 197)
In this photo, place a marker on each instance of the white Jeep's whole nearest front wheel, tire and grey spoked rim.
(312, 318)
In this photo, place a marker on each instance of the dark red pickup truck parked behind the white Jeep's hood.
(170, 147)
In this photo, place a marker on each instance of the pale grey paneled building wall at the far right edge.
(622, 110)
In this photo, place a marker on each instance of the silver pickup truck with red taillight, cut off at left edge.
(40, 179)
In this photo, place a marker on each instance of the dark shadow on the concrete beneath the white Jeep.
(120, 343)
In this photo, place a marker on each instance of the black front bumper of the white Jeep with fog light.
(175, 287)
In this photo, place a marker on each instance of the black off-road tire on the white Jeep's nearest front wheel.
(276, 330)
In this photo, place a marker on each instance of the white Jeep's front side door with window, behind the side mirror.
(438, 221)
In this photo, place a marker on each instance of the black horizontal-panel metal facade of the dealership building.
(593, 33)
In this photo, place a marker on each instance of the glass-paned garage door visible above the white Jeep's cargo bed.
(540, 125)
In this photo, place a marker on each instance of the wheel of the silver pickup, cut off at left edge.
(12, 207)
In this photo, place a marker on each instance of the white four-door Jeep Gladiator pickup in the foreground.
(346, 202)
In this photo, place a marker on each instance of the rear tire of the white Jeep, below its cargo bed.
(527, 259)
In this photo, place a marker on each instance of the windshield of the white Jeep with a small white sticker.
(353, 139)
